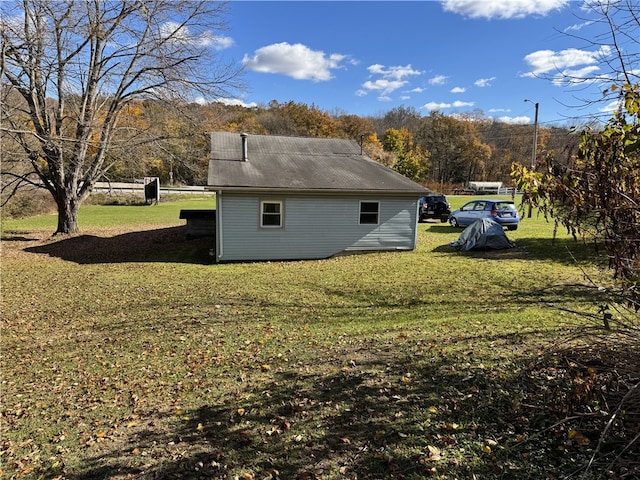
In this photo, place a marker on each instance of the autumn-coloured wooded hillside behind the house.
(436, 150)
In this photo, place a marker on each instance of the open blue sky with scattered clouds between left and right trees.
(454, 56)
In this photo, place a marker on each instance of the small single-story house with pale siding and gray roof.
(292, 198)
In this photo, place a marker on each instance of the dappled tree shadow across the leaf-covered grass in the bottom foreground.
(383, 415)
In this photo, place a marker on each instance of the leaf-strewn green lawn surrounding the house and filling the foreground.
(127, 354)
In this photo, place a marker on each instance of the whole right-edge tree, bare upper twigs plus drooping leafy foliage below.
(597, 191)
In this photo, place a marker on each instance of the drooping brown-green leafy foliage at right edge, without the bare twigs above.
(597, 194)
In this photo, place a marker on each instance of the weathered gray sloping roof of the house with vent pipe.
(299, 164)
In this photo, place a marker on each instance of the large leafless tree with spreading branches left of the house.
(75, 65)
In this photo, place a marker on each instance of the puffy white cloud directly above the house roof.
(296, 61)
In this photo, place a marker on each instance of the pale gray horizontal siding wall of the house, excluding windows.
(317, 226)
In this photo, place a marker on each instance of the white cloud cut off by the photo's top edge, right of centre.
(502, 9)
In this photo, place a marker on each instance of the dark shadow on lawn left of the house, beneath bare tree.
(158, 245)
